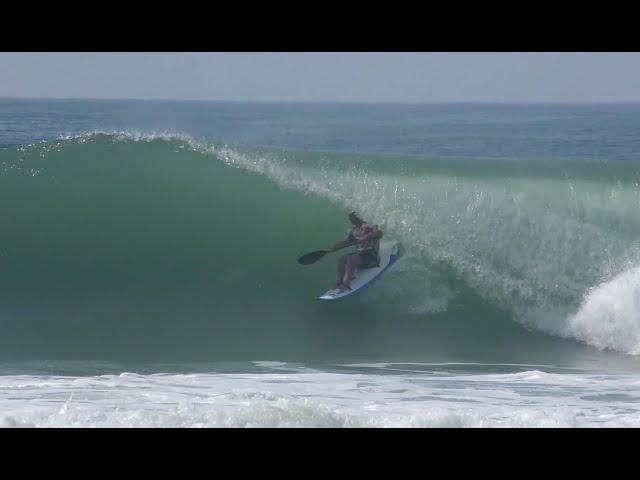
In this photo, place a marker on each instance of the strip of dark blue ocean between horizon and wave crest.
(513, 131)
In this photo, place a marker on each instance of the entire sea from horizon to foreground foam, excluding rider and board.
(148, 273)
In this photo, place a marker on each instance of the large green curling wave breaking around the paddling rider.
(159, 247)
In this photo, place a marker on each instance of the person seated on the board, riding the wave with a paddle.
(366, 237)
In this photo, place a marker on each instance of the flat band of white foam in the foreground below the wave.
(527, 399)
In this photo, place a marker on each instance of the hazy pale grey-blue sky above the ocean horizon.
(355, 77)
